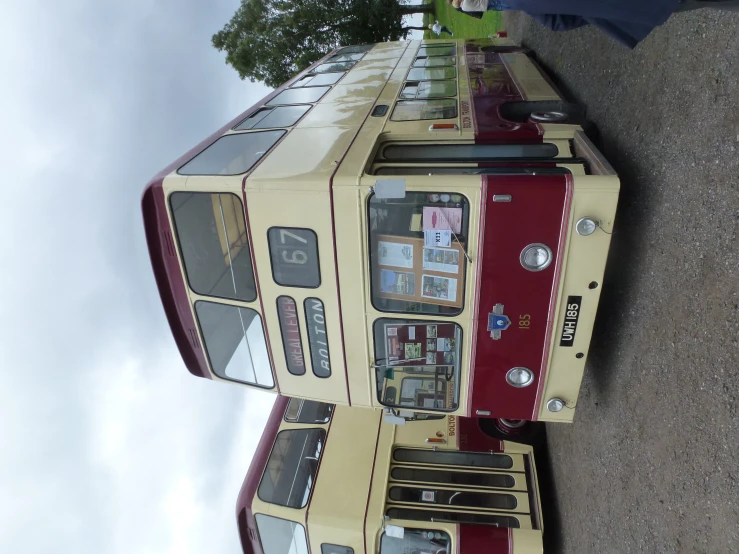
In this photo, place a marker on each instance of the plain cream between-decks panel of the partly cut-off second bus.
(339, 501)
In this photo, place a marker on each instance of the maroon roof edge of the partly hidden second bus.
(245, 520)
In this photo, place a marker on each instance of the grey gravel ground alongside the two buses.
(652, 461)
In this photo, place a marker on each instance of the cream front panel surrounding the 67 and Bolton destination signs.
(299, 209)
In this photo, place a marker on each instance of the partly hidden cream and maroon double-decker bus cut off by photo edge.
(338, 480)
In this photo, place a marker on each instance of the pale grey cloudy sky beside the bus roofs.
(108, 444)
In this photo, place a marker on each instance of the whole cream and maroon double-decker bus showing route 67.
(421, 226)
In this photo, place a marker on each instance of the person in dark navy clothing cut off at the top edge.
(626, 21)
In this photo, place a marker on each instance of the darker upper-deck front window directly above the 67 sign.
(211, 232)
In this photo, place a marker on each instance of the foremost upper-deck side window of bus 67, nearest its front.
(232, 154)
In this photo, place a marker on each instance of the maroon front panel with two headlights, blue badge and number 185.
(535, 215)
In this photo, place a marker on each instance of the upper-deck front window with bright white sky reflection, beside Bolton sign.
(235, 343)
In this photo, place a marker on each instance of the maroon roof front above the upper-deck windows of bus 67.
(171, 285)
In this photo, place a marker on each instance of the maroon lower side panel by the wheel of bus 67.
(491, 86)
